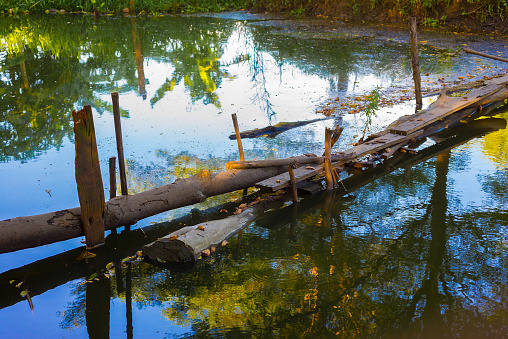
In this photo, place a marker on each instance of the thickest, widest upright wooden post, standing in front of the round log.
(88, 177)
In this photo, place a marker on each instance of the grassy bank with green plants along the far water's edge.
(431, 12)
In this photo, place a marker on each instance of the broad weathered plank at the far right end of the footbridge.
(445, 106)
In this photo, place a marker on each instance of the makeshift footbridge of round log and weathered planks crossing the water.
(31, 231)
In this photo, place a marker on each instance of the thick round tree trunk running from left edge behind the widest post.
(25, 232)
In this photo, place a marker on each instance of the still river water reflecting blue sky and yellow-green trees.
(420, 251)
